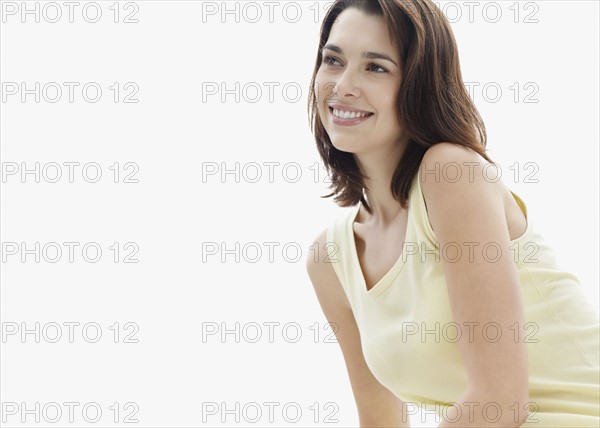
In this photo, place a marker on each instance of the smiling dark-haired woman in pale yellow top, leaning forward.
(444, 296)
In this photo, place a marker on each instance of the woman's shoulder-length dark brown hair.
(433, 104)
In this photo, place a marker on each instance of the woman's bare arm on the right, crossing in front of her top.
(483, 287)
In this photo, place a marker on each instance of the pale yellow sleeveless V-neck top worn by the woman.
(409, 337)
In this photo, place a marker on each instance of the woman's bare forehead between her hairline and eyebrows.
(356, 31)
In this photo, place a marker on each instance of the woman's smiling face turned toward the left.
(348, 80)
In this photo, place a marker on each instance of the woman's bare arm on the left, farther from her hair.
(377, 406)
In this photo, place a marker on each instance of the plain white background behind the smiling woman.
(171, 135)
